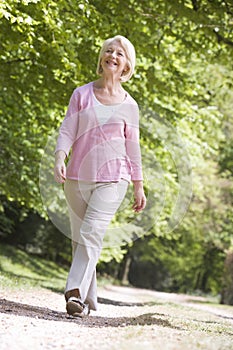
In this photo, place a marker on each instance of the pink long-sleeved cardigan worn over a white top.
(100, 153)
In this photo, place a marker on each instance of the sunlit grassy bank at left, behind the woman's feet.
(21, 270)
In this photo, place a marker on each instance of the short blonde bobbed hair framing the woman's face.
(129, 51)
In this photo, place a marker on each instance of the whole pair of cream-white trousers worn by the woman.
(91, 206)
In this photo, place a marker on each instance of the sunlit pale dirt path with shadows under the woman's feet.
(127, 318)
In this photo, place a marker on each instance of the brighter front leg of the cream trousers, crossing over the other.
(104, 200)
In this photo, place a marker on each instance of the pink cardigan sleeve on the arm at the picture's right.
(132, 145)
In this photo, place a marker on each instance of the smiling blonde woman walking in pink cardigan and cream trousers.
(102, 127)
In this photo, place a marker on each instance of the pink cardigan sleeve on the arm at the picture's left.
(69, 127)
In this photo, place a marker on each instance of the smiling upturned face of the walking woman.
(114, 59)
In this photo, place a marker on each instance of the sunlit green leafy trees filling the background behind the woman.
(184, 78)
